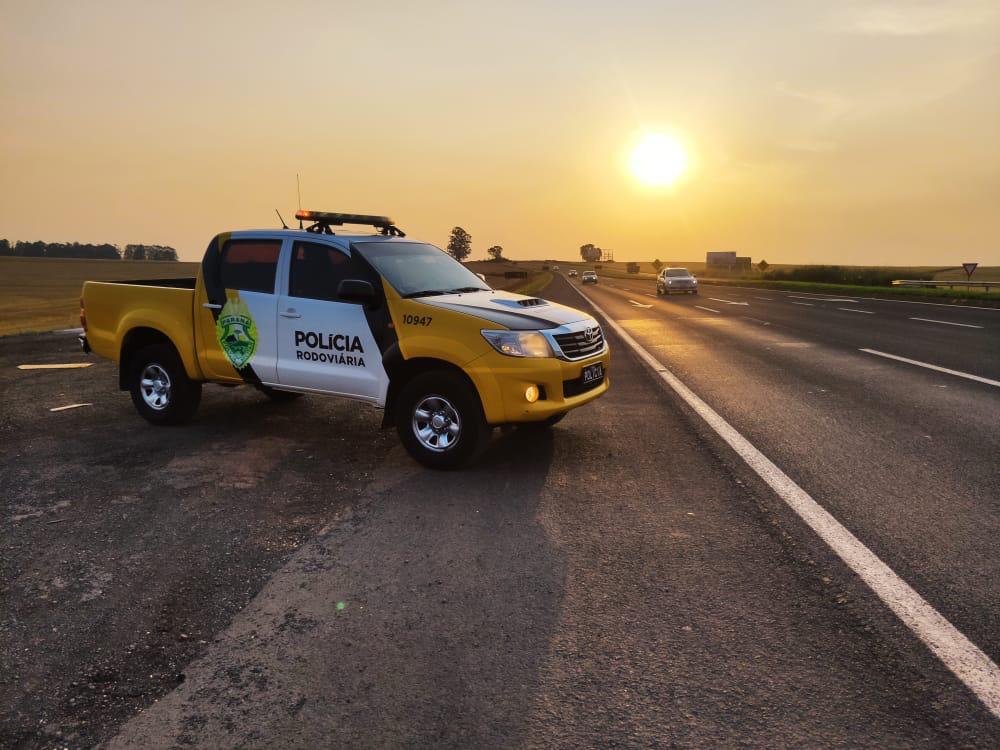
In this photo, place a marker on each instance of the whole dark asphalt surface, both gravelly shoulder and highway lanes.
(285, 576)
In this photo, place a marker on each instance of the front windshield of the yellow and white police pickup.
(415, 269)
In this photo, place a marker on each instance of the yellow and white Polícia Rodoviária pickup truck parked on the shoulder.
(375, 317)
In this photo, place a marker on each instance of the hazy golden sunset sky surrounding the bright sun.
(840, 132)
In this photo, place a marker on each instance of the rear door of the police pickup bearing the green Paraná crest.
(237, 334)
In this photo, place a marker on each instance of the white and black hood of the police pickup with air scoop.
(514, 311)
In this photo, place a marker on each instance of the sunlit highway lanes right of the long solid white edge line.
(908, 458)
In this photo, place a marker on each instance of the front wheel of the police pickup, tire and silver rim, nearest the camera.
(449, 396)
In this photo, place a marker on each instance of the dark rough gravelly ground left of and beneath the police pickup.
(126, 546)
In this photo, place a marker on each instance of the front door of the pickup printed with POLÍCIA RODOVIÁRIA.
(324, 343)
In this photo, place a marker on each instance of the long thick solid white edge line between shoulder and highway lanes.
(960, 655)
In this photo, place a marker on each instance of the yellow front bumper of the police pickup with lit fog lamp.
(502, 381)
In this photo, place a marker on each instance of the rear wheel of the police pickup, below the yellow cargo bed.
(162, 392)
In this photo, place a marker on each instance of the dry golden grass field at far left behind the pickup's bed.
(43, 294)
